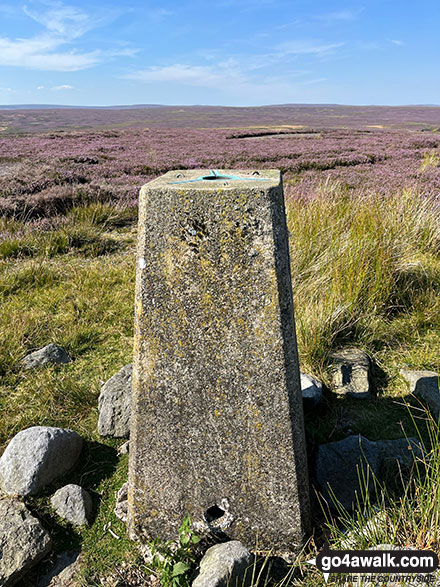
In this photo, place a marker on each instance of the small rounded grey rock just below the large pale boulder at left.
(73, 503)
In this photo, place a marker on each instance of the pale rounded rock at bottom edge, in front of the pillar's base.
(225, 564)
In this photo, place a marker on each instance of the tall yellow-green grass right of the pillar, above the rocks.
(366, 271)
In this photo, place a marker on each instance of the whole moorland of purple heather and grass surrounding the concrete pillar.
(362, 192)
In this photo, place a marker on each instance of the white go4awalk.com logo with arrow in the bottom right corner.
(406, 562)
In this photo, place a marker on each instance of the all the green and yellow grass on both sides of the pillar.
(366, 272)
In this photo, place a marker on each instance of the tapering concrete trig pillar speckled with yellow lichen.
(217, 426)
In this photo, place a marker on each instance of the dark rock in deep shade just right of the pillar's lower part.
(340, 464)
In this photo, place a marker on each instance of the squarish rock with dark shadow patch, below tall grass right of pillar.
(350, 373)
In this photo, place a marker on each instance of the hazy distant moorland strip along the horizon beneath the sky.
(32, 118)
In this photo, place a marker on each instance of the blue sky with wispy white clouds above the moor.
(220, 52)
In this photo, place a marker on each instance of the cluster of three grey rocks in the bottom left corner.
(34, 458)
